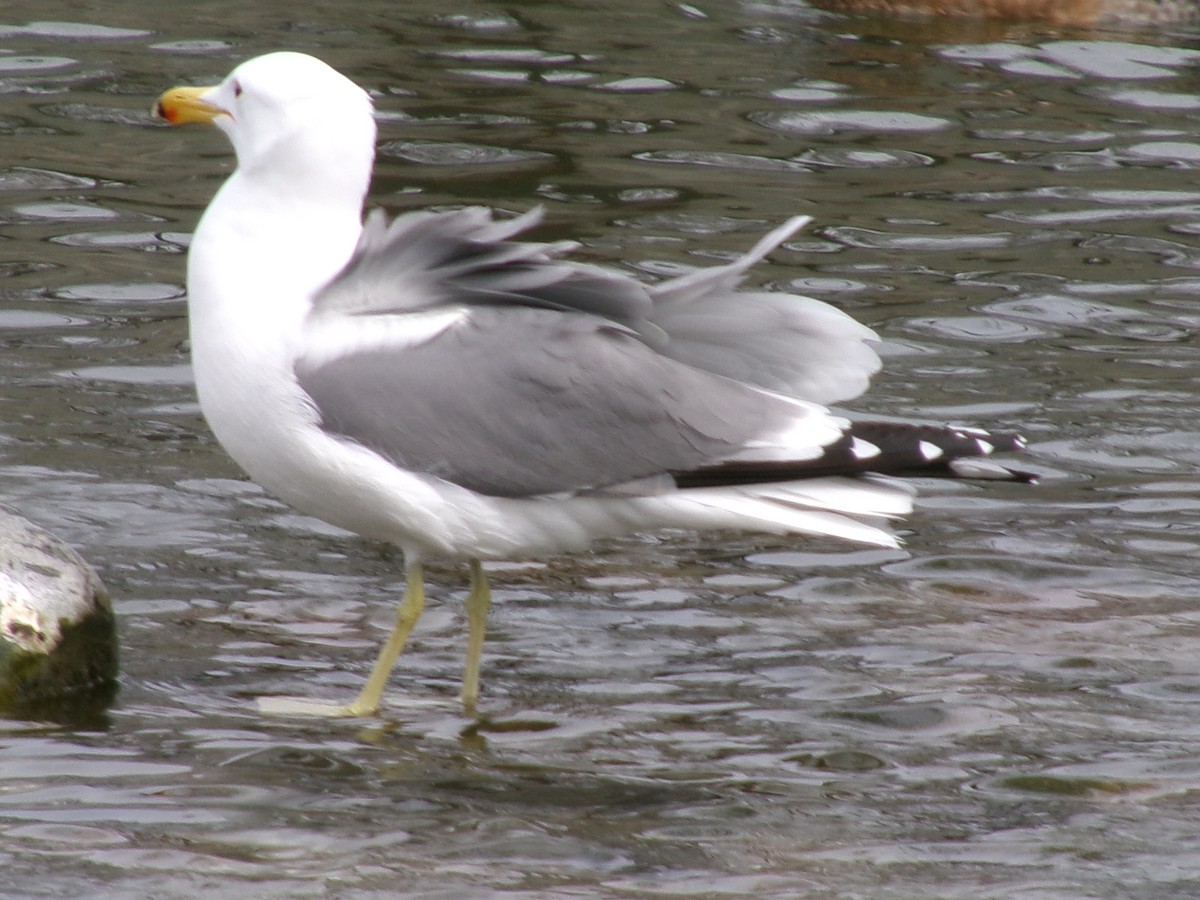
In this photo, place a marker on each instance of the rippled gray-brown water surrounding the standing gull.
(1010, 707)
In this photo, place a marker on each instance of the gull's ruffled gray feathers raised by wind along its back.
(787, 344)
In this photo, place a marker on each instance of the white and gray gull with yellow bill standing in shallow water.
(441, 383)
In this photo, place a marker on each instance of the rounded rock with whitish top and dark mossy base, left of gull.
(58, 637)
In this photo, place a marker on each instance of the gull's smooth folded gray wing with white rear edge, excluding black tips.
(524, 401)
